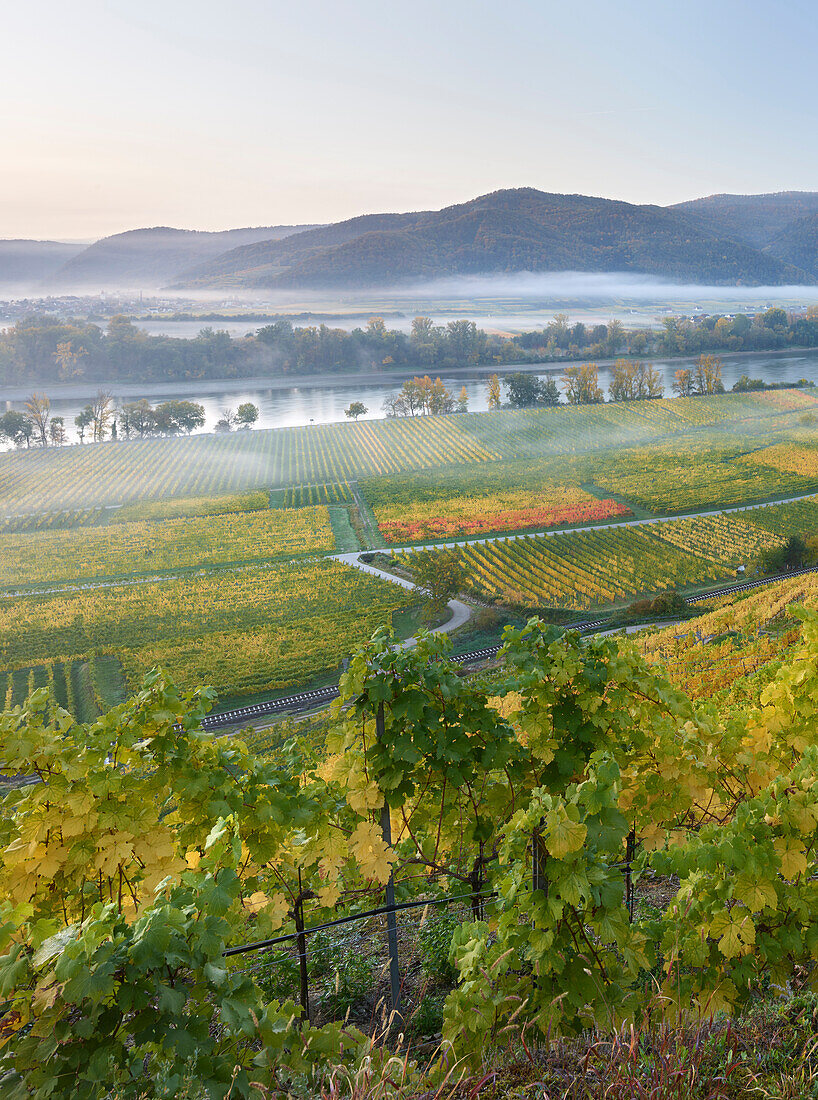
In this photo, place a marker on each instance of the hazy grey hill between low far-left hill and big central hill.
(151, 258)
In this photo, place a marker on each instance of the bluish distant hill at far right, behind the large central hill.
(753, 219)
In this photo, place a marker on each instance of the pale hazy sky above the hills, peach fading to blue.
(217, 114)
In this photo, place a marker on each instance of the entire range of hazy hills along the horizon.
(722, 239)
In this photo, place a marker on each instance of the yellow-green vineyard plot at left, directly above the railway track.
(259, 629)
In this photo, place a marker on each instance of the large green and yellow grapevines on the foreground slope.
(637, 865)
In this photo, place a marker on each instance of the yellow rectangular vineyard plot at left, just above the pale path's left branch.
(56, 557)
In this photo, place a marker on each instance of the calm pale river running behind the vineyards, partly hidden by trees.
(314, 400)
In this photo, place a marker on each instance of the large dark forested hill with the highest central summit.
(519, 230)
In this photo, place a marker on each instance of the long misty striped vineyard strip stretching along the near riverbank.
(115, 474)
